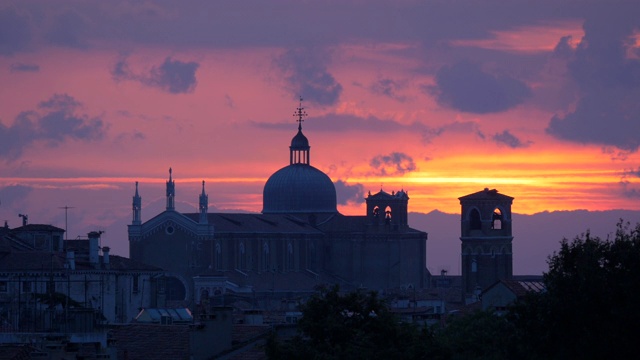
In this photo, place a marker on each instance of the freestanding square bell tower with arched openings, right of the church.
(486, 240)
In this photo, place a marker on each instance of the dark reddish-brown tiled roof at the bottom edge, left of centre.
(150, 341)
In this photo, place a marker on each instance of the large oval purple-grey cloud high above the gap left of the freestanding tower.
(466, 87)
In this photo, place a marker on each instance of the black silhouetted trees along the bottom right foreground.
(590, 310)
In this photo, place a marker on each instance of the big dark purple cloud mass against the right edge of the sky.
(608, 111)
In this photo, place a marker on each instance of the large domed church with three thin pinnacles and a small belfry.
(298, 241)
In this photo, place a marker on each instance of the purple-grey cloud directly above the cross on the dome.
(306, 75)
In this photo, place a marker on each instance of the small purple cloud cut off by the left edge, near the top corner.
(15, 31)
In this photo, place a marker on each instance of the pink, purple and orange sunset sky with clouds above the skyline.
(538, 99)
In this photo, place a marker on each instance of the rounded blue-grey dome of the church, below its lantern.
(299, 188)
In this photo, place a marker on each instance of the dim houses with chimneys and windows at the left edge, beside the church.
(70, 290)
